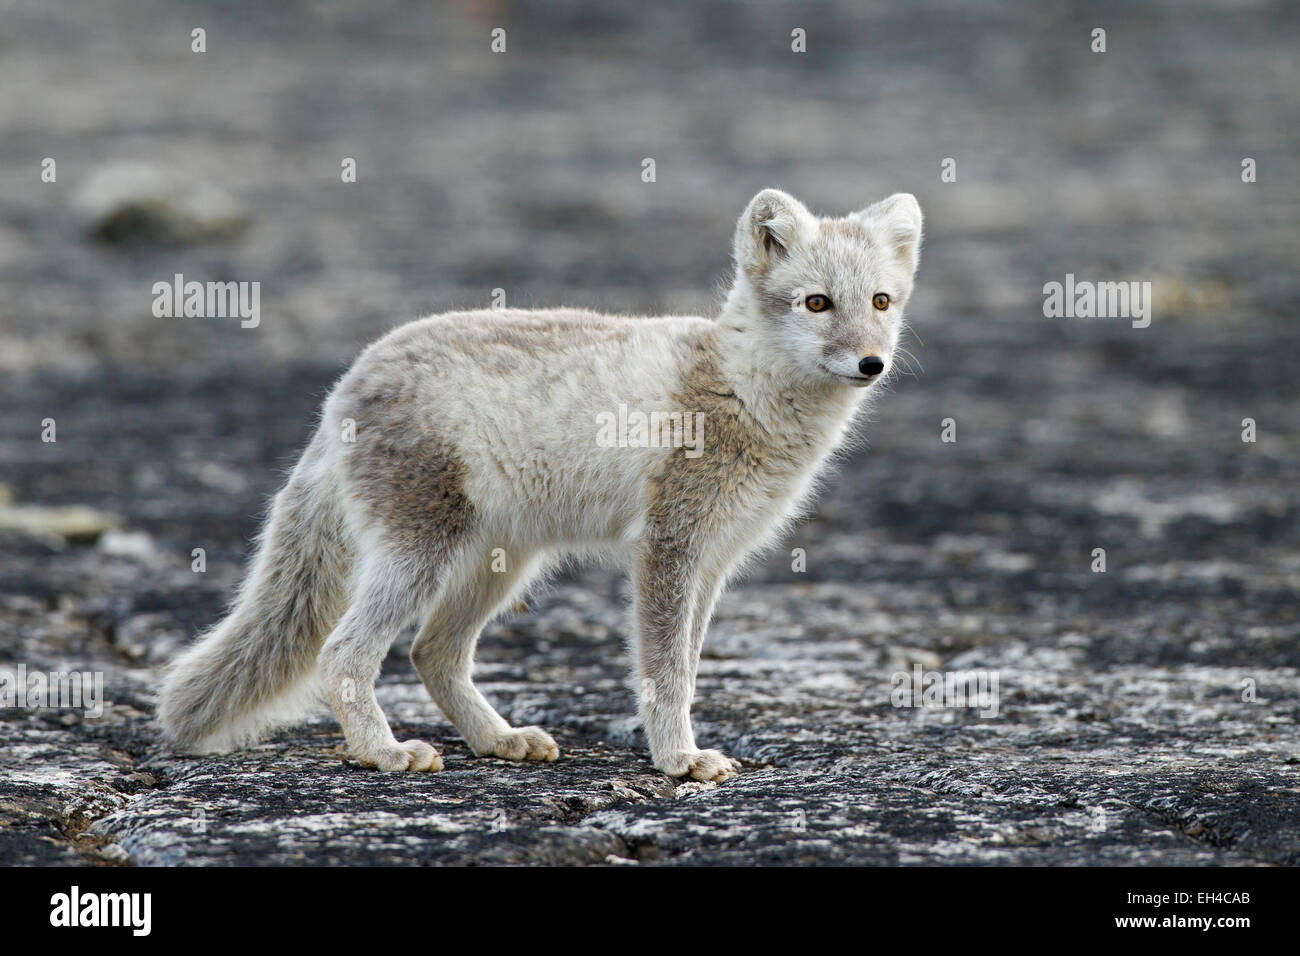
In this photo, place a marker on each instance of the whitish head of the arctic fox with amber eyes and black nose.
(827, 296)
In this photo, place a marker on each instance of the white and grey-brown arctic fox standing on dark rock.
(460, 456)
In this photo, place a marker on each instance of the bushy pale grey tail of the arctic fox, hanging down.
(255, 669)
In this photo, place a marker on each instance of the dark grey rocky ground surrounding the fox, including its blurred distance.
(1146, 715)
